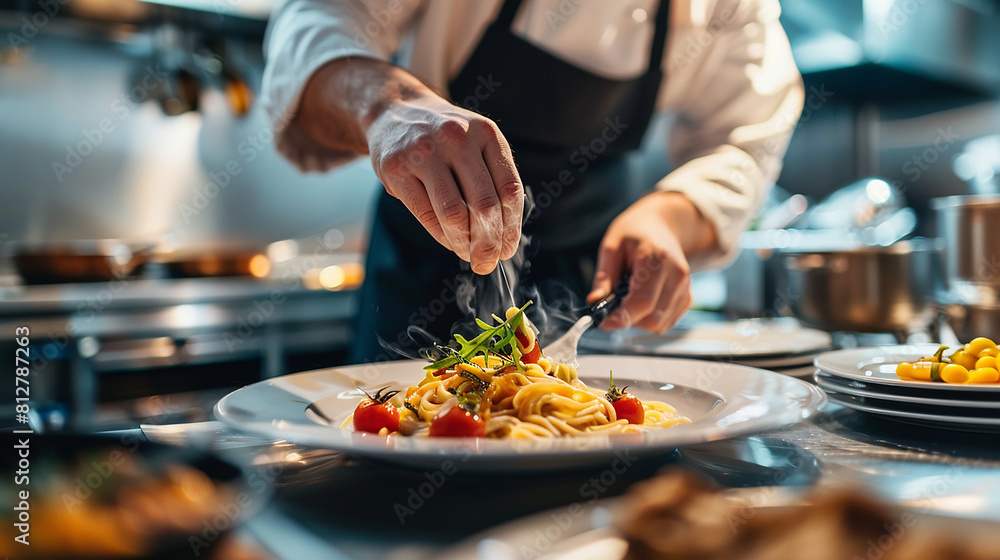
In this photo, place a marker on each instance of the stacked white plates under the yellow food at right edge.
(865, 379)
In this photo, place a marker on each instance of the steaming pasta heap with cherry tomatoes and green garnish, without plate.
(499, 385)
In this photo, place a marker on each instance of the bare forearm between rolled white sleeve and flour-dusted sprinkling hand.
(344, 97)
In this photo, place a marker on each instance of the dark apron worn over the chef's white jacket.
(569, 130)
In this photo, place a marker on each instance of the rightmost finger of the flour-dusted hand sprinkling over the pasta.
(507, 183)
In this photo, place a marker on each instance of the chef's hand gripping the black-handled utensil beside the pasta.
(652, 239)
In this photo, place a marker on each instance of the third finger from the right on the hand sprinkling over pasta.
(449, 206)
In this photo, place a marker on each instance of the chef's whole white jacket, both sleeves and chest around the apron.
(729, 77)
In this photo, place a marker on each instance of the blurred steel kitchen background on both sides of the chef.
(160, 249)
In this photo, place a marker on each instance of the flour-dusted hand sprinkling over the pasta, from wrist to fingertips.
(454, 171)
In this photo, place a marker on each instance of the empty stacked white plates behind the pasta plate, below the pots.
(781, 344)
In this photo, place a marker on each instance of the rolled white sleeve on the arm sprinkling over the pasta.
(302, 36)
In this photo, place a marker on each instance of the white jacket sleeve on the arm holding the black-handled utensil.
(742, 98)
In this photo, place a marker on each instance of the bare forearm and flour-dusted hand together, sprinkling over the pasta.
(452, 168)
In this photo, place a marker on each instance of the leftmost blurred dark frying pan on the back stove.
(78, 261)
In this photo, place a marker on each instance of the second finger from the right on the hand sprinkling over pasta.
(485, 212)
